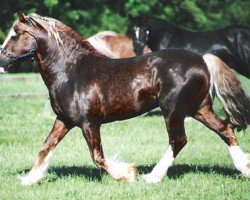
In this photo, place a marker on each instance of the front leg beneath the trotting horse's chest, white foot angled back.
(118, 170)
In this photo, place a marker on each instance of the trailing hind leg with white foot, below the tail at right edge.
(207, 116)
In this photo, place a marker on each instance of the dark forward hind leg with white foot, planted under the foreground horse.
(175, 104)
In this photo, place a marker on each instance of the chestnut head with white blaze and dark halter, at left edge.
(20, 44)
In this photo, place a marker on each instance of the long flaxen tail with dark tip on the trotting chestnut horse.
(228, 89)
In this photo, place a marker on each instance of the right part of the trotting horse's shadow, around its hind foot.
(178, 171)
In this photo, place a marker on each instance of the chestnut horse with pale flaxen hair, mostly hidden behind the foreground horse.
(114, 45)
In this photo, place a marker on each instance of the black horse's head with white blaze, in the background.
(138, 31)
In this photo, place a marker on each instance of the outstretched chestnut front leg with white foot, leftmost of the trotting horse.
(41, 165)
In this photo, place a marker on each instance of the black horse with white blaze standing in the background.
(231, 44)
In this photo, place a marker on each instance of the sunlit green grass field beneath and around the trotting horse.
(203, 170)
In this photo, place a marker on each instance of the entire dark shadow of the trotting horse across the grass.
(175, 172)
